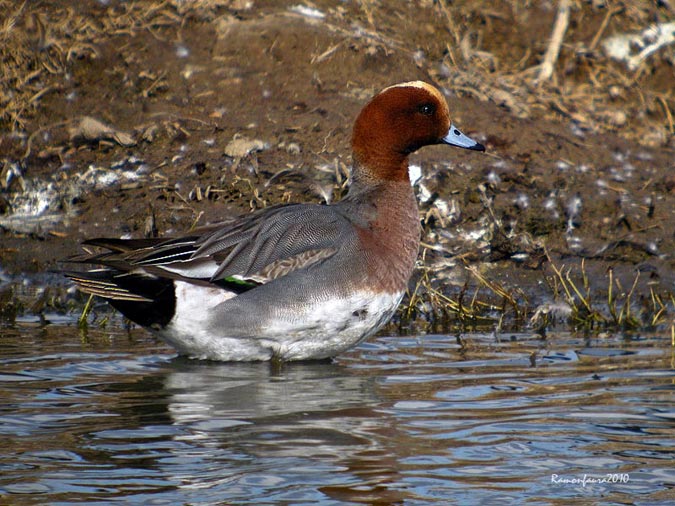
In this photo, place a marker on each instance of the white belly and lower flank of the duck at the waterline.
(321, 330)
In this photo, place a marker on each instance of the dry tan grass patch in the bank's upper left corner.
(38, 47)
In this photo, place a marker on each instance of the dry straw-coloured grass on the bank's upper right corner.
(579, 83)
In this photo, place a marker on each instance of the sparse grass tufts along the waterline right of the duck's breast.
(578, 304)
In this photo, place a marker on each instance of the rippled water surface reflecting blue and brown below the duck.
(114, 416)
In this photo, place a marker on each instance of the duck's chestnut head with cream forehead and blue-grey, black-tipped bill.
(399, 120)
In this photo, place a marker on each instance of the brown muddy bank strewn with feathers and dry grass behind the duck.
(173, 83)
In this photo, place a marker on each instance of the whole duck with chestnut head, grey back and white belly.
(289, 282)
